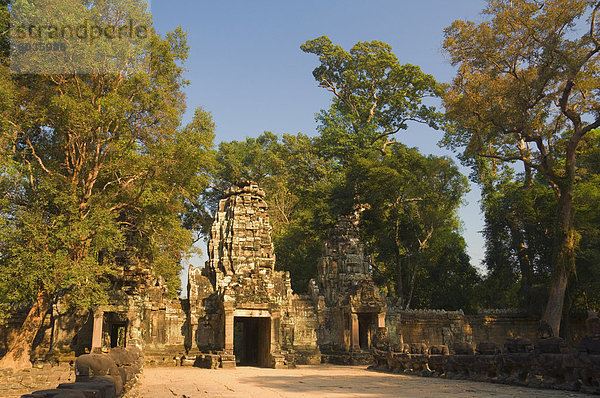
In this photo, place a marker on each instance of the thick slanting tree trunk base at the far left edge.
(19, 354)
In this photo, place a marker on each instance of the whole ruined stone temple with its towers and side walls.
(240, 310)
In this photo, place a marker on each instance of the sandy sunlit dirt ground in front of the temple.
(324, 381)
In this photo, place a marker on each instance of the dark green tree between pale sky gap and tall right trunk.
(518, 232)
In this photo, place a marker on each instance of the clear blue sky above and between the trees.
(247, 69)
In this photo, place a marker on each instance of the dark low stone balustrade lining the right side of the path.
(518, 364)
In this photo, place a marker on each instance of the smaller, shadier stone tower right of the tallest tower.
(350, 306)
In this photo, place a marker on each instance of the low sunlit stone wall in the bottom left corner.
(40, 377)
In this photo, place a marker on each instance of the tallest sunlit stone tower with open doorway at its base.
(248, 312)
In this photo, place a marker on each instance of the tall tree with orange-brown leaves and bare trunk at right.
(526, 91)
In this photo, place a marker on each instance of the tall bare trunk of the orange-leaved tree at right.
(564, 260)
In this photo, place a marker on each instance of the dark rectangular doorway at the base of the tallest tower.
(251, 341)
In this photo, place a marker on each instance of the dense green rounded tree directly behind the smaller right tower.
(409, 200)
